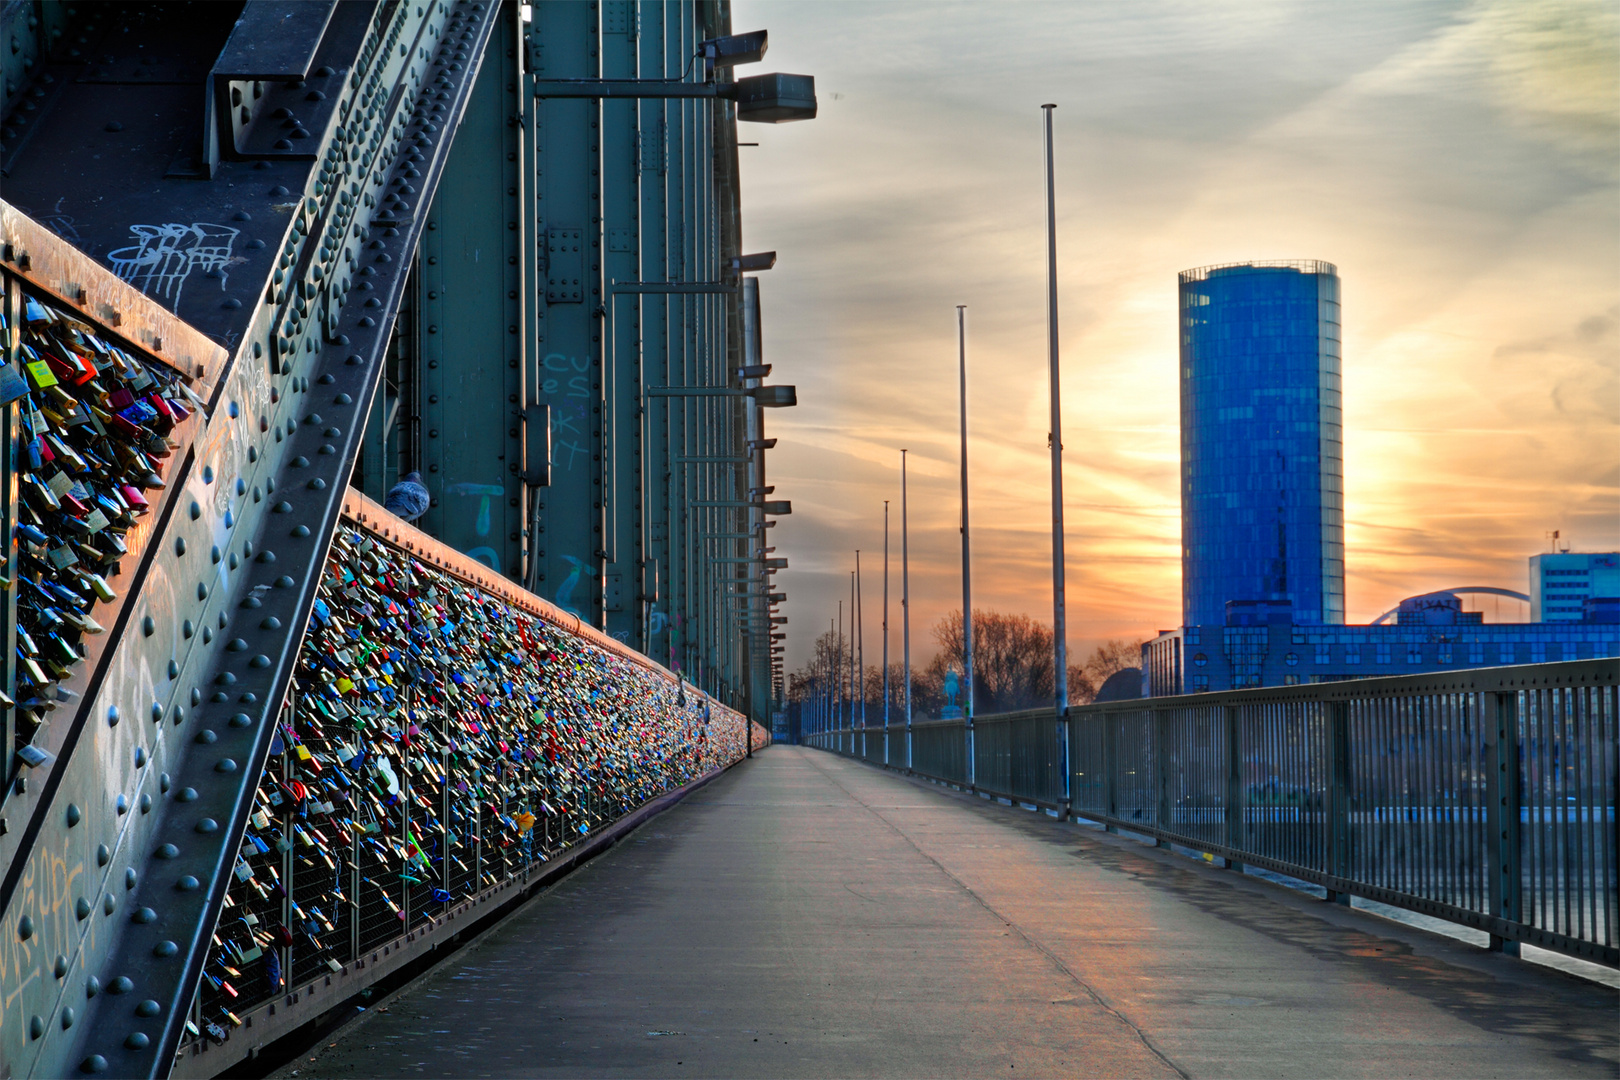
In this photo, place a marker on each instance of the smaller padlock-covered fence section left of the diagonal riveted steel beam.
(93, 441)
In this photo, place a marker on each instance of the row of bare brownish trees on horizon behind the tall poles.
(1013, 668)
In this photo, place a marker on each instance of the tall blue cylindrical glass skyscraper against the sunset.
(1263, 506)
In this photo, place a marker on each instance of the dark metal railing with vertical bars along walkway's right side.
(1485, 797)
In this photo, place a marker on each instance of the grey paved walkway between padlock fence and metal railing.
(808, 916)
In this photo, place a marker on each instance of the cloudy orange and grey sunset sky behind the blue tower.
(1459, 163)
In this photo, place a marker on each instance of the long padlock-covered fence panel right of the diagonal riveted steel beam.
(437, 742)
